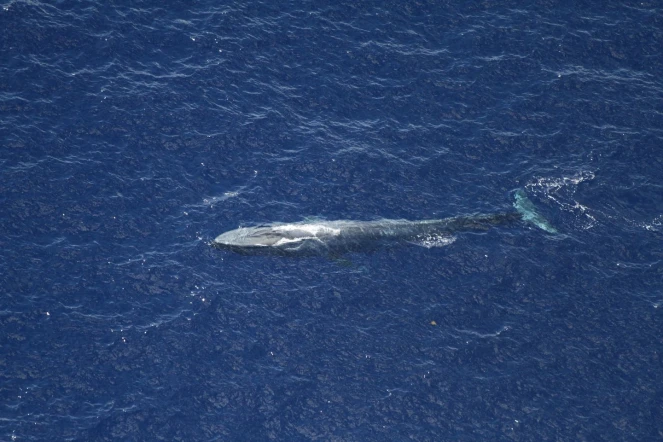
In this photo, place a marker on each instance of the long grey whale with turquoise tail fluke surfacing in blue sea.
(340, 236)
